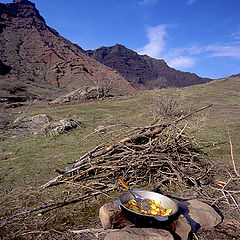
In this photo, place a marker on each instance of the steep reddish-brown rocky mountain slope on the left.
(36, 59)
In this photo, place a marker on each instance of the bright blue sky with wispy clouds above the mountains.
(200, 36)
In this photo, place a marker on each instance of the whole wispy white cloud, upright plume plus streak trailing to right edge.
(186, 57)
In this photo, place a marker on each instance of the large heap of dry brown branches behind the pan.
(153, 156)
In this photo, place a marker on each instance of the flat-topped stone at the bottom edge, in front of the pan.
(140, 234)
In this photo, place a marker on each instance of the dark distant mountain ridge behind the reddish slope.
(142, 71)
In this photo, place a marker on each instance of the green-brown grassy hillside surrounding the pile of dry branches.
(29, 160)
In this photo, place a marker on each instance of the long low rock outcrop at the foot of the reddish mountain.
(80, 94)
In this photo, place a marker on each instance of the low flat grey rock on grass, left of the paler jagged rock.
(32, 123)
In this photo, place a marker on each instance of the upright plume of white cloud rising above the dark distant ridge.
(156, 40)
